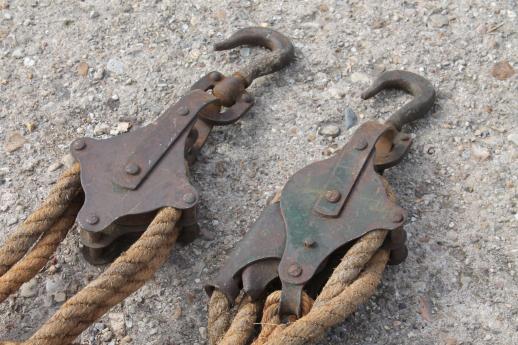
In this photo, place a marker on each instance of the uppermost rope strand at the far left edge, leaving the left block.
(40, 221)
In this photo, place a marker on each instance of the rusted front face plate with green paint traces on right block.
(366, 207)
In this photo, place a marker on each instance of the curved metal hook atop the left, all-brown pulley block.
(281, 55)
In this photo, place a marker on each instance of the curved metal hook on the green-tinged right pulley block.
(416, 85)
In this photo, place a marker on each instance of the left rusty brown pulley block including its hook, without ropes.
(128, 177)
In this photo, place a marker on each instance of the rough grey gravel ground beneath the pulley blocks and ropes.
(88, 68)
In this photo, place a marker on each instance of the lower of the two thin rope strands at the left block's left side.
(25, 269)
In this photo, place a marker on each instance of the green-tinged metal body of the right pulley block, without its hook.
(323, 207)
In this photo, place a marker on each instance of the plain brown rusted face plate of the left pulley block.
(101, 161)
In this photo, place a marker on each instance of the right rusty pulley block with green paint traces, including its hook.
(327, 205)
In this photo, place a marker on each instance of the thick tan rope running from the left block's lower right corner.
(128, 273)
